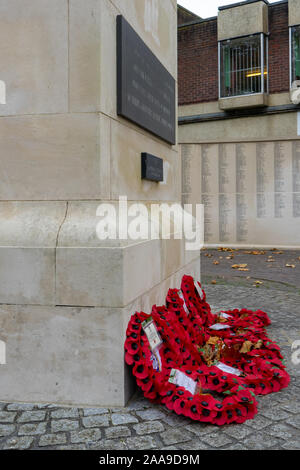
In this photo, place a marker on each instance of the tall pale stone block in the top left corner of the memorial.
(34, 56)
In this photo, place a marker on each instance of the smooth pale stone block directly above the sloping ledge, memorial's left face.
(52, 157)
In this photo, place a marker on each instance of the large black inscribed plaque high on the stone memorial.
(146, 90)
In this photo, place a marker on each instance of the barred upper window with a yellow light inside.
(243, 66)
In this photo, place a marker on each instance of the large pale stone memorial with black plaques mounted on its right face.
(66, 296)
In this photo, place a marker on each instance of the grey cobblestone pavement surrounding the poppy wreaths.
(142, 425)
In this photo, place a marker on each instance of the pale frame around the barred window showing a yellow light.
(264, 51)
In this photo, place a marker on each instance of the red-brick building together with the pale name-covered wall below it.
(239, 122)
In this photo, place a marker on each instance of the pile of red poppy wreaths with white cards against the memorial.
(206, 366)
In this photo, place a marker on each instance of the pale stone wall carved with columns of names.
(250, 191)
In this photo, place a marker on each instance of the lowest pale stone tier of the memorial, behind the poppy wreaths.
(72, 355)
